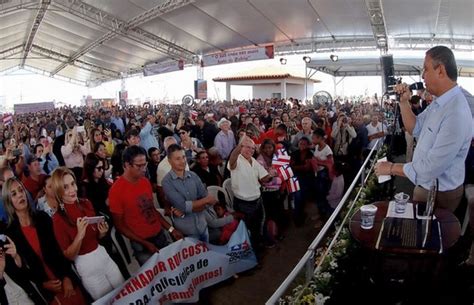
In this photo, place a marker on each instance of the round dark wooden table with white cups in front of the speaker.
(450, 229)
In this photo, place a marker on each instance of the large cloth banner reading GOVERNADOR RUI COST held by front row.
(179, 271)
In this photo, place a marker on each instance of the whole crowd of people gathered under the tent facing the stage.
(62, 169)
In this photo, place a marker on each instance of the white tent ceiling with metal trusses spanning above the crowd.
(93, 41)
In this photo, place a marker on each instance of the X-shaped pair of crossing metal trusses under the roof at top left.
(128, 28)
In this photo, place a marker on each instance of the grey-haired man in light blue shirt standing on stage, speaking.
(443, 130)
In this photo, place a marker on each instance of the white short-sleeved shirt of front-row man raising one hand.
(245, 178)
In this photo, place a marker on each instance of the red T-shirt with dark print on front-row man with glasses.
(135, 202)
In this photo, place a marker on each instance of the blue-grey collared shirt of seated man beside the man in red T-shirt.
(181, 192)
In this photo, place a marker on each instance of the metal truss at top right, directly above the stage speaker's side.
(377, 22)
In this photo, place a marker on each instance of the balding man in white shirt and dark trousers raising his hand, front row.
(246, 177)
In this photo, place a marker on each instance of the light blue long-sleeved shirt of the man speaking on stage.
(444, 132)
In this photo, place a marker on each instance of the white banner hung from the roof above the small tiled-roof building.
(238, 56)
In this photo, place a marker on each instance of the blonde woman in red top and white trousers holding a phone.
(79, 238)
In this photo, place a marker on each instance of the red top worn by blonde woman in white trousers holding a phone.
(65, 232)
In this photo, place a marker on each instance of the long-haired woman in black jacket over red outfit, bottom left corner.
(33, 235)
